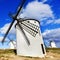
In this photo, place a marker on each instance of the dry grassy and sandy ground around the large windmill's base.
(52, 54)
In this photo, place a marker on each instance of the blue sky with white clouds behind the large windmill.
(46, 11)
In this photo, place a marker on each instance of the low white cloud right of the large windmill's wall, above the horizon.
(52, 34)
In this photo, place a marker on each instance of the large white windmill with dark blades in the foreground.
(28, 34)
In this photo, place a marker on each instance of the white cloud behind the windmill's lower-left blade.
(3, 30)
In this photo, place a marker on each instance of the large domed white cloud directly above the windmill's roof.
(37, 10)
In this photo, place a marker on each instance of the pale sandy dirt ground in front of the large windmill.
(49, 56)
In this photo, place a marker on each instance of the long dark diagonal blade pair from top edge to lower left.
(15, 17)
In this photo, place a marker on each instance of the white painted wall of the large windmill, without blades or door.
(34, 49)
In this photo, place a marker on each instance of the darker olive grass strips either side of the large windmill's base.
(13, 51)
